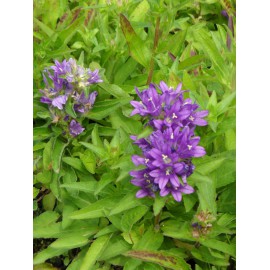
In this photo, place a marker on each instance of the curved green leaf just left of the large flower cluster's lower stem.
(132, 216)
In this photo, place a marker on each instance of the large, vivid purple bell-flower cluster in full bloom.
(168, 151)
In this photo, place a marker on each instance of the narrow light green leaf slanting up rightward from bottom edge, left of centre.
(93, 253)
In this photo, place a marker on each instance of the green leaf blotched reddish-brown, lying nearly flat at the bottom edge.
(162, 258)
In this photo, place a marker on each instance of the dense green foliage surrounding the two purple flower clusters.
(85, 209)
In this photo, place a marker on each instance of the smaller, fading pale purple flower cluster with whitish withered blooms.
(66, 85)
